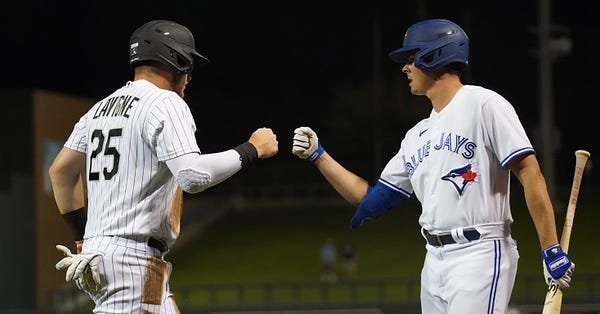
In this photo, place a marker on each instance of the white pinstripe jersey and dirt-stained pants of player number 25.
(132, 194)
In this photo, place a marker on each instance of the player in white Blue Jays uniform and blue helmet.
(457, 162)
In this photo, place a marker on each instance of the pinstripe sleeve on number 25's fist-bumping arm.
(171, 129)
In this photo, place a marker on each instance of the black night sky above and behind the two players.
(277, 65)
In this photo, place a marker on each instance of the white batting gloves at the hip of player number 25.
(83, 269)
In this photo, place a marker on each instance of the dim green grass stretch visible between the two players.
(283, 245)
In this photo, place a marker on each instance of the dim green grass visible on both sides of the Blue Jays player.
(282, 245)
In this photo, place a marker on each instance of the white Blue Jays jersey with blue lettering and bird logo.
(455, 161)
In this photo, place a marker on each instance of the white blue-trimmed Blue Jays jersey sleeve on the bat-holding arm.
(506, 134)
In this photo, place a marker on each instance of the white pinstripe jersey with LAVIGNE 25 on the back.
(127, 137)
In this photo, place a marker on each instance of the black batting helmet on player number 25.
(166, 42)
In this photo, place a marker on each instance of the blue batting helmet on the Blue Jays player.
(437, 43)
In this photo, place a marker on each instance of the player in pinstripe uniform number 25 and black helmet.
(138, 152)
